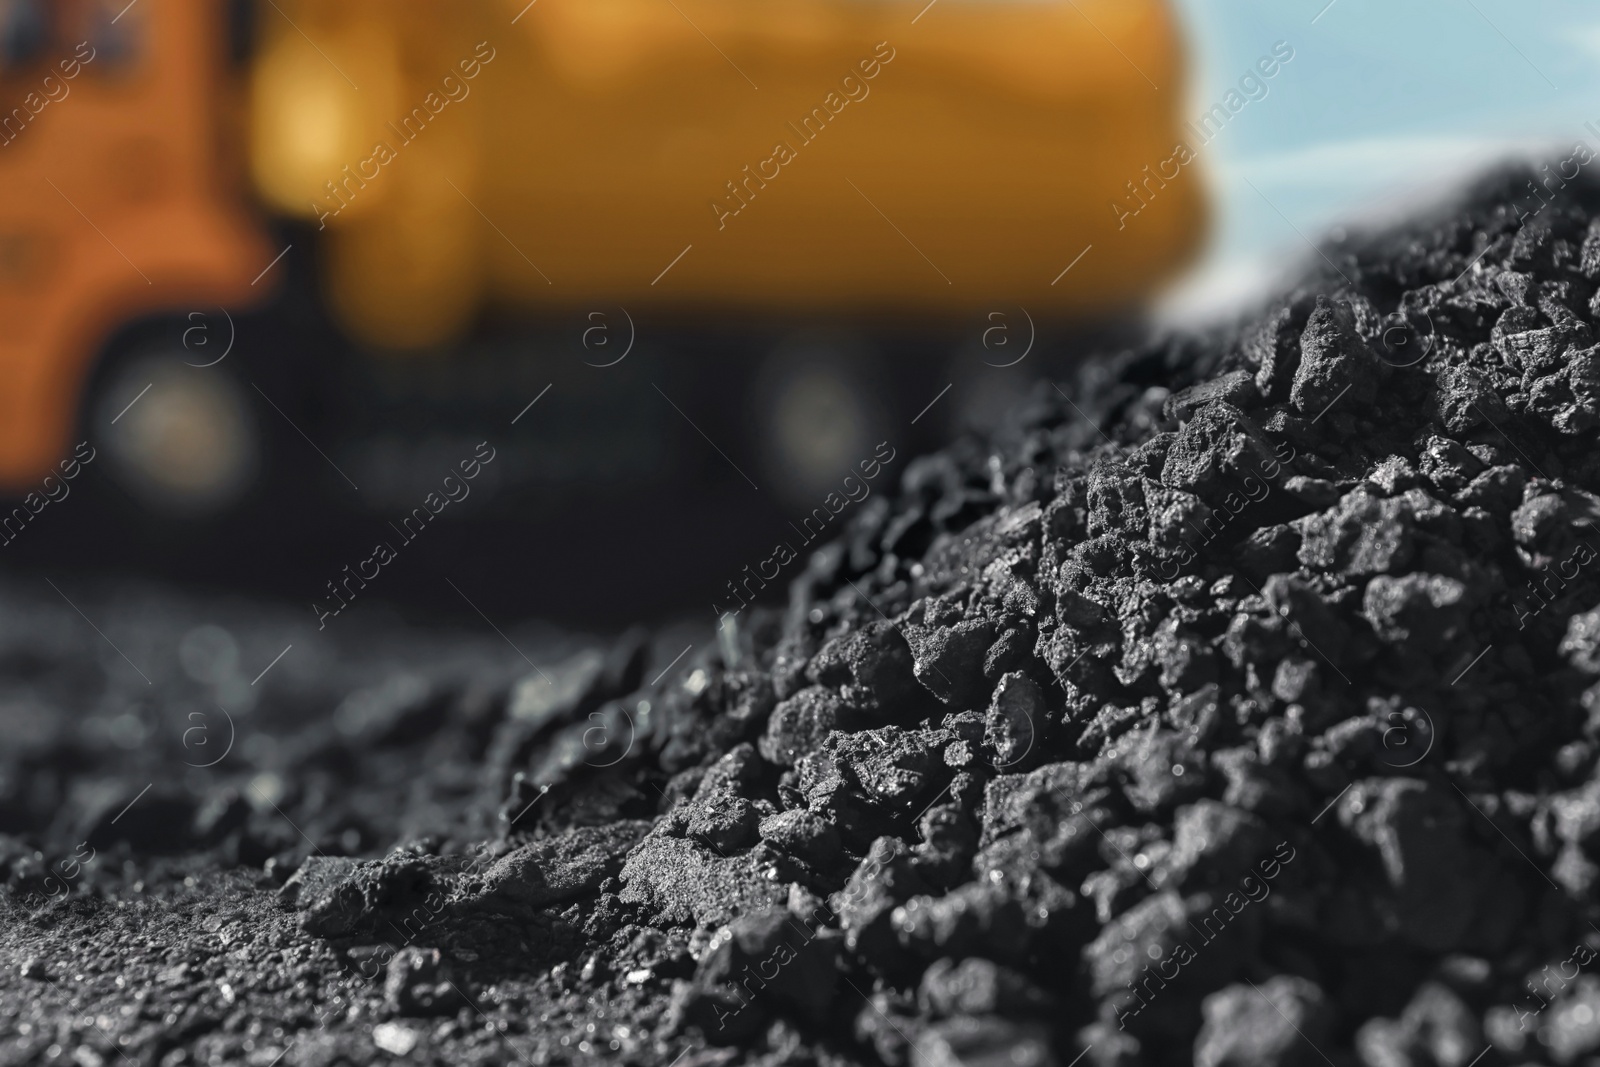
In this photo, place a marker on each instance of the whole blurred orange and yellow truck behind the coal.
(242, 236)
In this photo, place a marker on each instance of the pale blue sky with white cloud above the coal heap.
(1385, 105)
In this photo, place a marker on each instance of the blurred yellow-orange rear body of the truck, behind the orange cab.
(794, 156)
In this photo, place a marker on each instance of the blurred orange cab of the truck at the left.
(119, 199)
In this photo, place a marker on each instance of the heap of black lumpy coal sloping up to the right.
(1238, 705)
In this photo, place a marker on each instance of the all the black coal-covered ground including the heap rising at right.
(1239, 709)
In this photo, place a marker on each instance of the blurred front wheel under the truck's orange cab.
(182, 441)
